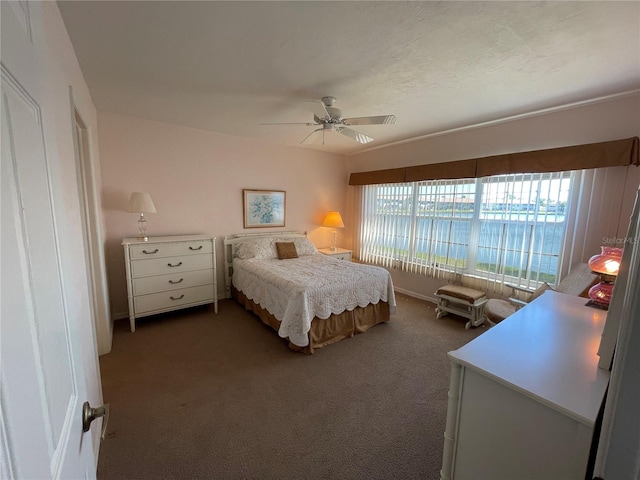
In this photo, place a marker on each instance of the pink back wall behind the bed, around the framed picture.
(196, 179)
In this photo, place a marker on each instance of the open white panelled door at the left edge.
(42, 379)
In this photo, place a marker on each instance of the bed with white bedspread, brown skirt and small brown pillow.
(310, 299)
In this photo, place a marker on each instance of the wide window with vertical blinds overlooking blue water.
(507, 227)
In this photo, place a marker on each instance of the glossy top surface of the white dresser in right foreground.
(547, 351)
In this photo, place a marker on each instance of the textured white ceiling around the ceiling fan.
(231, 66)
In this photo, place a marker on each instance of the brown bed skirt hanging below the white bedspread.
(324, 331)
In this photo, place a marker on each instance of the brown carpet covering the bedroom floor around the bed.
(201, 396)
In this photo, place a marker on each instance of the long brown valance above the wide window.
(578, 157)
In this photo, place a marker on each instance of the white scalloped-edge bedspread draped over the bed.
(296, 290)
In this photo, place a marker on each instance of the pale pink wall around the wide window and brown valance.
(610, 119)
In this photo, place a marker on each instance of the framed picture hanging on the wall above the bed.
(263, 208)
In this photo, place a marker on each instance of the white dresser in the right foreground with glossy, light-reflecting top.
(524, 396)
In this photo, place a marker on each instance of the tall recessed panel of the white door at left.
(29, 172)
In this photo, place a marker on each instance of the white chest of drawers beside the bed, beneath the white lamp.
(168, 273)
